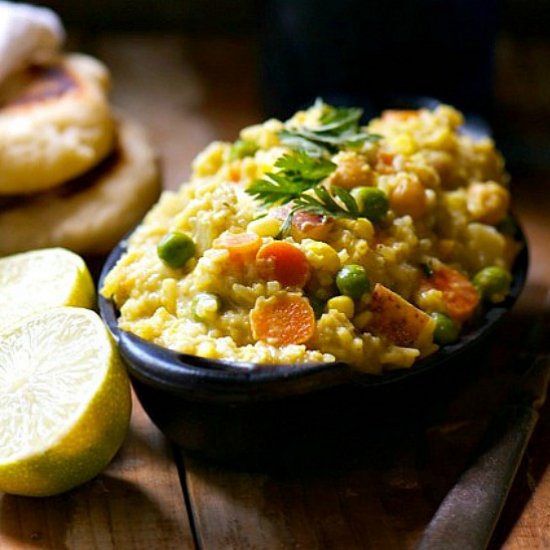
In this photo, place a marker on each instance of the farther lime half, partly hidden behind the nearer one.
(33, 281)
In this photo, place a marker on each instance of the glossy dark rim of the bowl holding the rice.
(201, 378)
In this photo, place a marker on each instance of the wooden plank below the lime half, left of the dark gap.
(136, 503)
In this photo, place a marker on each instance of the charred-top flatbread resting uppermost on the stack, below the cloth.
(55, 123)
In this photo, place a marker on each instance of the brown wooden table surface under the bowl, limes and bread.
(189, 92)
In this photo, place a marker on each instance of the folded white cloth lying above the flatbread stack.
(28, 34)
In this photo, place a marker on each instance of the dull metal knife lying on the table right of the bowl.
(478, 497)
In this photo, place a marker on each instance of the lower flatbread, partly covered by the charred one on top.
(90, 214)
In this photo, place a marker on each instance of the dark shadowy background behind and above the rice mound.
(487, 57)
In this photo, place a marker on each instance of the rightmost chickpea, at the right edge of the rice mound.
(488, 202)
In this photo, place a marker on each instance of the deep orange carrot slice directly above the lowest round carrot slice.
(282, 261)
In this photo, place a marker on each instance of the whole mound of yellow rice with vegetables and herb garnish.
(318, 239)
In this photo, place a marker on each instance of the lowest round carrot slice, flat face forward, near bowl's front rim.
(283, 319)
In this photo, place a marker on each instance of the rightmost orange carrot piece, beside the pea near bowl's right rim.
(459, 294)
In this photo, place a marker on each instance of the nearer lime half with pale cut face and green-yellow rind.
(64, 401)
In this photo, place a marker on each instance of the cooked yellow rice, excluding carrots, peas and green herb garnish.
(463, 197)
